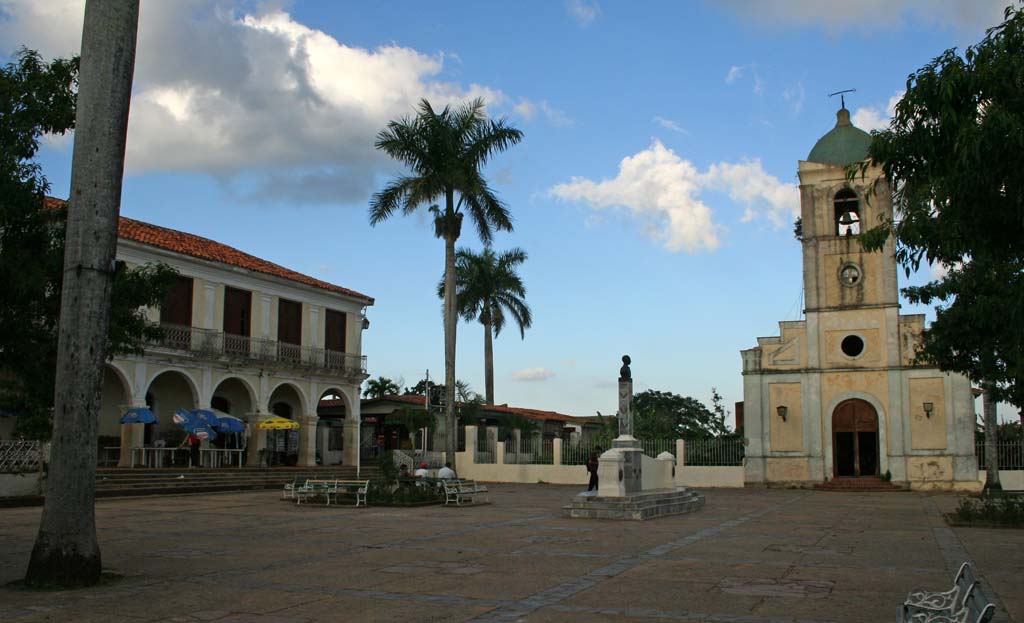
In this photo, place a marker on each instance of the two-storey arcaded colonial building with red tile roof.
(246, 338)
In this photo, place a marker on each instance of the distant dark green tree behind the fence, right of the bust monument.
(667, 416)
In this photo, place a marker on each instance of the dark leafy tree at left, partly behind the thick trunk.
(38, 99)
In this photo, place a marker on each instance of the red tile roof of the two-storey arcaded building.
(204, 248)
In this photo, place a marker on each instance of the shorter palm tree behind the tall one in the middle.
(489, 287)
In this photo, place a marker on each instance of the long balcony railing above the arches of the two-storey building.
(218, 345)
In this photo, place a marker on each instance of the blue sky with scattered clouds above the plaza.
(655, 190)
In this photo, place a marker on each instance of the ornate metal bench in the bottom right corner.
(964, 603)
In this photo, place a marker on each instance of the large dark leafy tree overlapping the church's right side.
(954, 153)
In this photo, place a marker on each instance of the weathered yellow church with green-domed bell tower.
(838, 395)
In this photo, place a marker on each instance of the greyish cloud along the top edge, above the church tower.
(839, 16)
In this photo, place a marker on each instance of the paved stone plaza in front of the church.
(750, 556)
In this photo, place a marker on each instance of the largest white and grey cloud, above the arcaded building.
(258, 97)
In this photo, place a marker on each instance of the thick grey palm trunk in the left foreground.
(67, 553)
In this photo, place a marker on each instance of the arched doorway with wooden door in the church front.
(856, 439)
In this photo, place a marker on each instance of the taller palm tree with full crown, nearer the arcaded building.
(446, 153)
